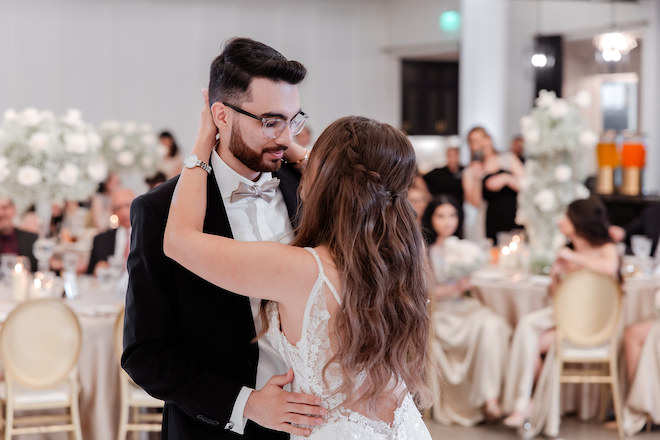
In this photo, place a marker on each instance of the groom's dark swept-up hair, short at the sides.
(243, 59)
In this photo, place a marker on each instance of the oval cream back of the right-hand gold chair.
(587, 306)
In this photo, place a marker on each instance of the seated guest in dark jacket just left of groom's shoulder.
(114, 241)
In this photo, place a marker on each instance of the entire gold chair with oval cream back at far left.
(40, 346)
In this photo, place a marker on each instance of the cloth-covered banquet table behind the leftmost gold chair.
(97, 308)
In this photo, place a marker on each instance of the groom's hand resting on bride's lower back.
(275, 408)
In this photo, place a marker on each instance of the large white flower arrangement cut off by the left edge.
(48, 158)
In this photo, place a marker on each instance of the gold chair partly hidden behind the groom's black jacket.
(133, 398)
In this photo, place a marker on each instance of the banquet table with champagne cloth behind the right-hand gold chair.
(513, 295)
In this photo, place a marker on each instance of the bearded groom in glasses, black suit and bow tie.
(187, 341)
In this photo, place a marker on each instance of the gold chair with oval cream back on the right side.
(587, 307)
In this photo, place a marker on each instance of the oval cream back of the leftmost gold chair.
(40, 343)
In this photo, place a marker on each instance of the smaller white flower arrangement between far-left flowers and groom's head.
(130, 147)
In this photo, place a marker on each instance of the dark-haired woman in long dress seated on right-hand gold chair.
(586, 227)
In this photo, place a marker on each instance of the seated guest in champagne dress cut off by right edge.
(641, 344)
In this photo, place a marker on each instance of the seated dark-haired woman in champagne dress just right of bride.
(470, 342)
